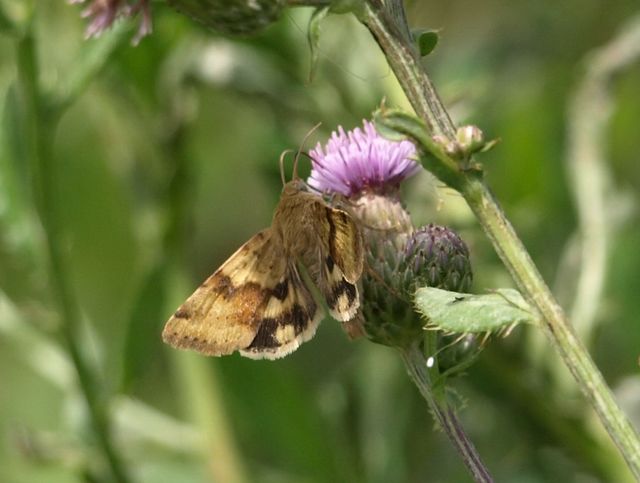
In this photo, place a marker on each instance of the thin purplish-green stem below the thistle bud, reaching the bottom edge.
(445, 415)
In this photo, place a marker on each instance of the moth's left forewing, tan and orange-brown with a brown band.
(223, 314)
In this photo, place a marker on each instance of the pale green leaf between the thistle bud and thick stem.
(464, 313)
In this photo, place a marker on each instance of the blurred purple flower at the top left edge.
(102, 14)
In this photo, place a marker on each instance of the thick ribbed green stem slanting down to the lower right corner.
(405, 63)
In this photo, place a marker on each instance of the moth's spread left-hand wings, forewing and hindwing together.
(255, 303)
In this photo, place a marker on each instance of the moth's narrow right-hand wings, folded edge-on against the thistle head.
(341, 262)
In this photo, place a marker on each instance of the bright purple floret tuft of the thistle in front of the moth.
(361, 161)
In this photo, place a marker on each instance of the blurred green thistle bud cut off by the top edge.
(231, 16)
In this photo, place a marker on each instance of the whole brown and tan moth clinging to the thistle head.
(259, 302)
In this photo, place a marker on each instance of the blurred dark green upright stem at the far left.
(39, 129)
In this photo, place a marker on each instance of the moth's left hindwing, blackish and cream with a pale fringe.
(290, 317)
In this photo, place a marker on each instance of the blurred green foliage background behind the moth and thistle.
(161, 159)
